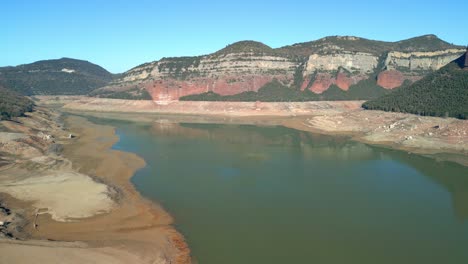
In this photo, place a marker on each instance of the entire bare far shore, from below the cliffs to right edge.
(425, 135)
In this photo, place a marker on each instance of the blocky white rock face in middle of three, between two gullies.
(361, 62)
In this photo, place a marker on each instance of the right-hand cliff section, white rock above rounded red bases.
(396, 67)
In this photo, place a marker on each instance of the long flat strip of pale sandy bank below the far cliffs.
(207, 108)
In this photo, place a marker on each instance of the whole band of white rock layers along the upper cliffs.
(240, 64)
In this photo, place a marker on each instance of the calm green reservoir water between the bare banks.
(247, 194)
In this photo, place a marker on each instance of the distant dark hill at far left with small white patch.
(55, 77)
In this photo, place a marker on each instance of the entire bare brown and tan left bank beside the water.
(79, 192)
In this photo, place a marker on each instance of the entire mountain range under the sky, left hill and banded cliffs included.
(339, 63)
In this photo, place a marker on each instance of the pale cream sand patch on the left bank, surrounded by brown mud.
(63, 195)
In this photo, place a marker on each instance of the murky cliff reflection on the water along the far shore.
(308, 146)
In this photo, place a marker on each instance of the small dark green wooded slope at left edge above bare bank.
(13, 105)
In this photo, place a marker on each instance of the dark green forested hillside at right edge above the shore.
(441, 93)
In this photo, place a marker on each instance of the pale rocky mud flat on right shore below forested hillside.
(425, 135)
